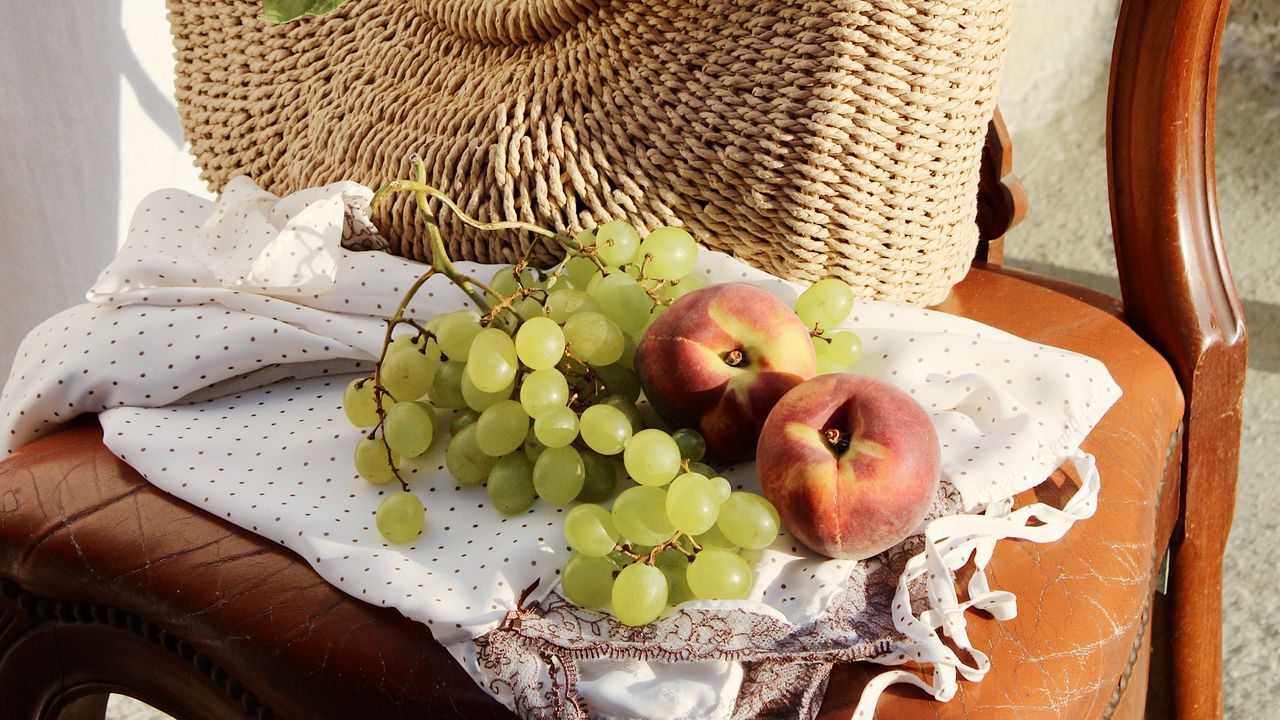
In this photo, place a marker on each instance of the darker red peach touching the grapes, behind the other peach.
(687, 373)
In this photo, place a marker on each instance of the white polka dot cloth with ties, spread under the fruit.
(220, 341)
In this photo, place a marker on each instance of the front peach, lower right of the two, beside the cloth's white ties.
(860, 499)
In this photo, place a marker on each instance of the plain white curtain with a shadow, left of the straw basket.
(88, 129)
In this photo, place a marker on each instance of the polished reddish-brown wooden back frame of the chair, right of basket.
(1178, 295)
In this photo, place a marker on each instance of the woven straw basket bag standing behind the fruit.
(808, 138)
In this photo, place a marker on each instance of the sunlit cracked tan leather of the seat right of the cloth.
(1081, 601)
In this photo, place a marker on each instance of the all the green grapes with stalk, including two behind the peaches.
(546, 402)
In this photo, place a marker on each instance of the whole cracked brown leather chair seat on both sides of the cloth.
(111, 585)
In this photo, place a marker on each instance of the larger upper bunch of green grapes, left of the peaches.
(541, 379)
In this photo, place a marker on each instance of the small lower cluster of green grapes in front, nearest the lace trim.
(671, 537)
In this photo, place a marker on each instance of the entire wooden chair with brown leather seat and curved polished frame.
(108, 585)
